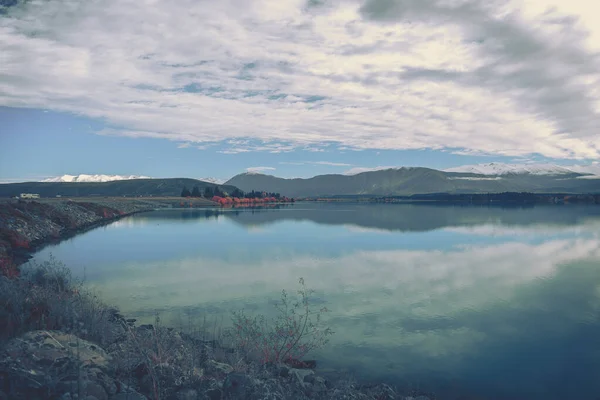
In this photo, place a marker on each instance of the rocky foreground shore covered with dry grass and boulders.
(60, 342)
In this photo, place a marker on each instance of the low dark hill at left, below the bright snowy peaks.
(134, 187)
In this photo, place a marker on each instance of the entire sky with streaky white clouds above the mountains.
(295, 88)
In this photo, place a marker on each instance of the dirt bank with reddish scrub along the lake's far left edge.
(27, 226)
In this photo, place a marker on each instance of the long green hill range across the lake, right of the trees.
(410, 181)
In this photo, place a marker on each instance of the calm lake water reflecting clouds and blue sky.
(494, 303)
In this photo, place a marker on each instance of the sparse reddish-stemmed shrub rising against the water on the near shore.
(294, 332)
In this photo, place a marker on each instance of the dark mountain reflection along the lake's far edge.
(393, 217)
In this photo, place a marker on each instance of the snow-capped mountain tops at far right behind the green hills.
(531, 169)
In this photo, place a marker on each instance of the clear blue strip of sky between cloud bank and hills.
(43, 144)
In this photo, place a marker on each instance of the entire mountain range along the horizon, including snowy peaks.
(403, 181)
